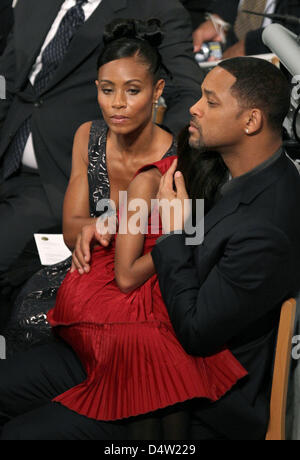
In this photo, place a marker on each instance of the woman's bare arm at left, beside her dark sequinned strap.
(76, 212)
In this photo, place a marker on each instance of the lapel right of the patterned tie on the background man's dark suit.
(88, 37)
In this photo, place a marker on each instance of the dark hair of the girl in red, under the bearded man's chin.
(204, 171)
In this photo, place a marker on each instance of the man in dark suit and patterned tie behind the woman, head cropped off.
(31, 196)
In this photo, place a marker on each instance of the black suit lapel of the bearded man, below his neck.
(245, 192)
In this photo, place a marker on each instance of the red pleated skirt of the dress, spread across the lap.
(133, 360)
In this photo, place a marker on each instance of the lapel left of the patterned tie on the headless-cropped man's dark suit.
(42, 17)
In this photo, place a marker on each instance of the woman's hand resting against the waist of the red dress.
(86, 240)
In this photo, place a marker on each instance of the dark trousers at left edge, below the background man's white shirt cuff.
(24, 210)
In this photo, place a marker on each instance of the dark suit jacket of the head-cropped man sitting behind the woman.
(71, 98)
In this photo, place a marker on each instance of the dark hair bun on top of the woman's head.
(149, 30)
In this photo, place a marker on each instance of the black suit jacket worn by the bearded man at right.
(229, 290)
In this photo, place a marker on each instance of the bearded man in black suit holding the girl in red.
(227, 291)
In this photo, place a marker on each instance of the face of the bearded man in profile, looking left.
(216, 119)
